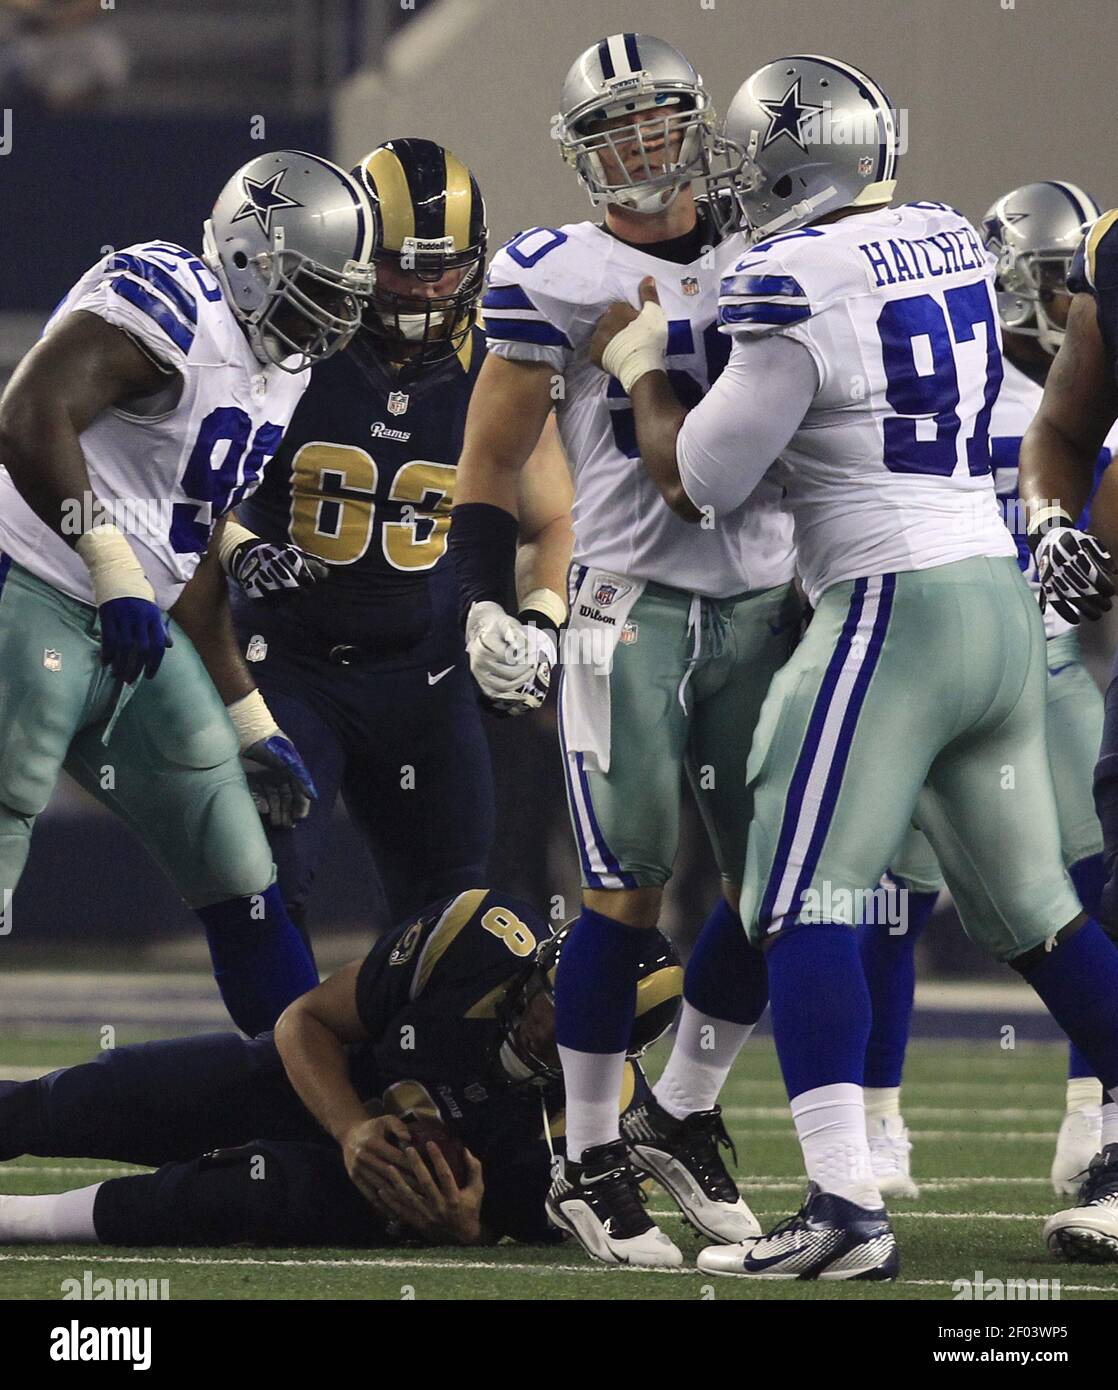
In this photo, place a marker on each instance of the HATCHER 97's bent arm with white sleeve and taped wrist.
(708, 461)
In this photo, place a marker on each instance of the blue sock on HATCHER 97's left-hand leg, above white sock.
(821, 1007)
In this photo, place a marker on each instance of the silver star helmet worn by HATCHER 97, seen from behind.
(818, 136)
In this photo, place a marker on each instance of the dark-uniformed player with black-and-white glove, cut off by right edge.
(1077, 575)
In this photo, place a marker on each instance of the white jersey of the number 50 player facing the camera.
(547, 291)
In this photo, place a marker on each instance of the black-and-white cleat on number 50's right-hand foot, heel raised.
(683, 1156)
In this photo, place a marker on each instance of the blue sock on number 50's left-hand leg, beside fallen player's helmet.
(596, 985)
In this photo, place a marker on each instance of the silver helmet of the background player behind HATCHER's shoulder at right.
(1035, 233)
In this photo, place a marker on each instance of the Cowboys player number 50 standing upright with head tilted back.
(675, 633)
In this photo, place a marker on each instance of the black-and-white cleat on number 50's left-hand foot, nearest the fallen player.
(600, 1203)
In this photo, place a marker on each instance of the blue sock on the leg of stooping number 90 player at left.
(261, 961)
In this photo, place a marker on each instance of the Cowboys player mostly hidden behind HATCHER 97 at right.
(1034, 233)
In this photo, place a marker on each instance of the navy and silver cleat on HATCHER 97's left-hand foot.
(829, 1238)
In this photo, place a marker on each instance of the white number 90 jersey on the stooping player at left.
(163, 479)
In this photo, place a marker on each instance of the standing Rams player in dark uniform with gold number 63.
(366, 671)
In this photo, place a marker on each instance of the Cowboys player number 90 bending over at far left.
(159, 391)
